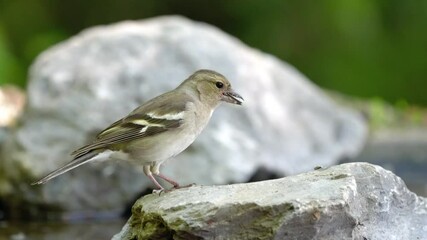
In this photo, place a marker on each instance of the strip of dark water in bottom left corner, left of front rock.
(58, 230)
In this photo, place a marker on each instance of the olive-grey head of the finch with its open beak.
(212, 87)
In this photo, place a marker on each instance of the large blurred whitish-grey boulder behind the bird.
(84, 84)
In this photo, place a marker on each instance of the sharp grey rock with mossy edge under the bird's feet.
(349, 201)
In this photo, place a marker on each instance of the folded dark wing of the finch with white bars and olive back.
(156, 116)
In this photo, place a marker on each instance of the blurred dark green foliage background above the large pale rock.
(366, 48)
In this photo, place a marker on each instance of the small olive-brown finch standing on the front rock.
(159, 129)
